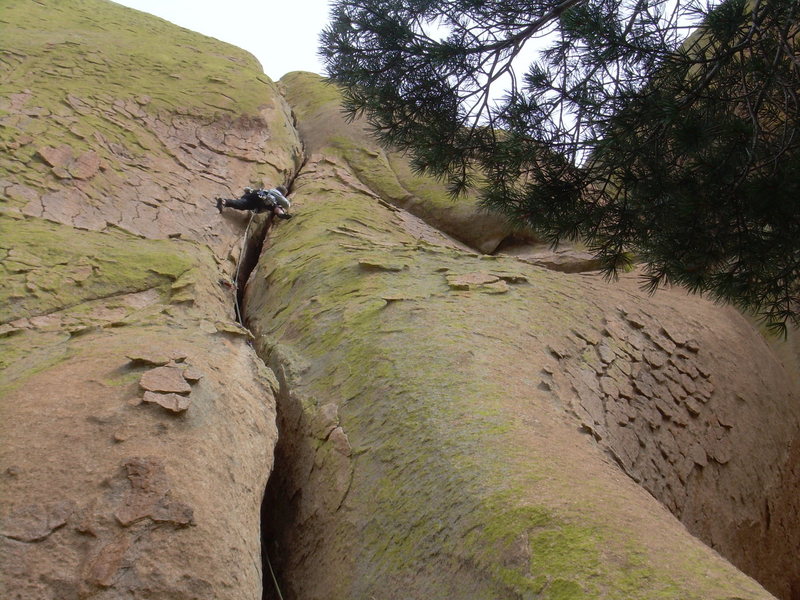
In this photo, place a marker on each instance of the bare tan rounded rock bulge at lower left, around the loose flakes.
(105, 497)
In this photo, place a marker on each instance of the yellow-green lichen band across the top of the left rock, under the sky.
(90, 49)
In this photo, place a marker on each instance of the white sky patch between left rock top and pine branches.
(282, 34)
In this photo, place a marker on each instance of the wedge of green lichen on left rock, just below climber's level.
(61, 284)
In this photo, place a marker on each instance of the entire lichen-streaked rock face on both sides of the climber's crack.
(452, 424)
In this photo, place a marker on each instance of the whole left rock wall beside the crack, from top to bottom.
(116, 131)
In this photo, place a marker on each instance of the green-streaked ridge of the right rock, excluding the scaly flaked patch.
(455, 489)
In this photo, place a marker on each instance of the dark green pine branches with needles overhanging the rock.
(659, 129)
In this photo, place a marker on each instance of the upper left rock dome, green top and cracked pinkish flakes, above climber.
(97, 98)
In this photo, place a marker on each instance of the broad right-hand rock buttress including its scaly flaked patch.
(493, 419)
